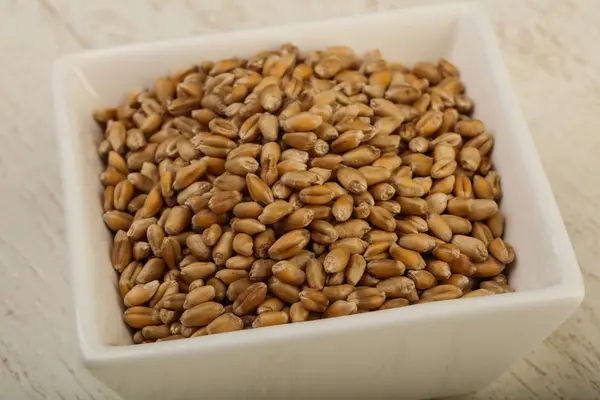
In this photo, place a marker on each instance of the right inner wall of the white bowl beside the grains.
(526, 229)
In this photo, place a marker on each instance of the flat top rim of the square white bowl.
(569, 290)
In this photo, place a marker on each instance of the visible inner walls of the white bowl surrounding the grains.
(103, 79)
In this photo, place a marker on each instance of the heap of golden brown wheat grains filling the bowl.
(296, 187)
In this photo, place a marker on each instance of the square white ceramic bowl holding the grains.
(429, 350)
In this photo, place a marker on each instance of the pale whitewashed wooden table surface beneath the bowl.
(550, 48)
